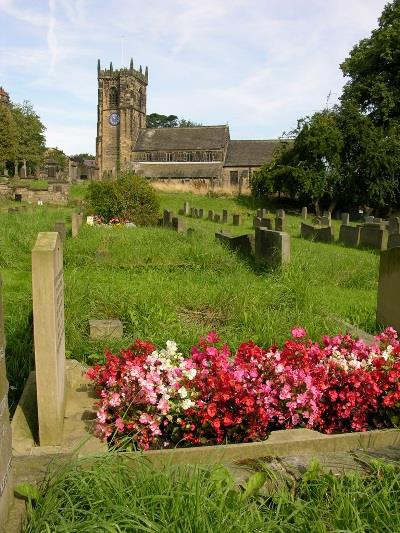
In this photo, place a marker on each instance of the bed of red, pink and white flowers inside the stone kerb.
(158, 398)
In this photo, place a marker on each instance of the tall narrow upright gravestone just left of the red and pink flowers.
(49, 335)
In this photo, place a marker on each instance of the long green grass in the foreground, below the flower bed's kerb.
(112, 495)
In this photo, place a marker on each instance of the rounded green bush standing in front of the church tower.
(130, 198)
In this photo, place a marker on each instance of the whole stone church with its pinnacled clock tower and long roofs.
(199, 153)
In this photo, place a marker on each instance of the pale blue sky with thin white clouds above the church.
(258, 65)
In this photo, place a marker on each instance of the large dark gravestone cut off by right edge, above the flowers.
(388, 308)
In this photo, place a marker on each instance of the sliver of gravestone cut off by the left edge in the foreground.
(6, 481)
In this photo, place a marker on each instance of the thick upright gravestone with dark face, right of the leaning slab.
(272, 248)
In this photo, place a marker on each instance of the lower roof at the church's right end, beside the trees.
(250, 153)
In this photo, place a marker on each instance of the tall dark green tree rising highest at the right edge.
(373, 67)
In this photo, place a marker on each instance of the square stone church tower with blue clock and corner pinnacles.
(121, 112)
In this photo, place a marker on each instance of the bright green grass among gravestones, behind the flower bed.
(164, 285)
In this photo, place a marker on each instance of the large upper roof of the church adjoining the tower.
(196, 138)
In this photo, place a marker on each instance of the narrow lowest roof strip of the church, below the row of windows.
(178, 170)
